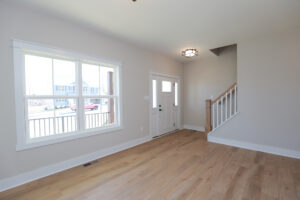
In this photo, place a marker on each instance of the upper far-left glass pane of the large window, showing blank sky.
(38, 75)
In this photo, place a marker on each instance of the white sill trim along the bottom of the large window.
(68, 137)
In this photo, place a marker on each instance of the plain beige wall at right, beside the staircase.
(269, 94)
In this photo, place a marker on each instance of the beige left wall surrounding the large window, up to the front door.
(35, 26)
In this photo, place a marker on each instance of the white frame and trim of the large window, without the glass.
(19, 50)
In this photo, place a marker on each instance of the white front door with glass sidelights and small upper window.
(164, 105)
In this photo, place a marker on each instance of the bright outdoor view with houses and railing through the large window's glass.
(67, 96)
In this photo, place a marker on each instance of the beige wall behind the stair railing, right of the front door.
(208, 77)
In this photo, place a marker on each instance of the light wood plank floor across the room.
(177, 166)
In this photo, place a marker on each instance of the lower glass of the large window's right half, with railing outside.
(99, 112)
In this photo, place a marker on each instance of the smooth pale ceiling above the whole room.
(170, 26)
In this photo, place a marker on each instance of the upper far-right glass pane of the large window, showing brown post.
(106, 81)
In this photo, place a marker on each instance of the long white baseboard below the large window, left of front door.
(27, 177)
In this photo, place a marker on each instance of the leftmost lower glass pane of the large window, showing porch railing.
(40, 117)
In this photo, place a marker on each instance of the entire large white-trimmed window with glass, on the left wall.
(60, 96)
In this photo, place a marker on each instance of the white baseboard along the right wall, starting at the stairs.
(255, 147)
